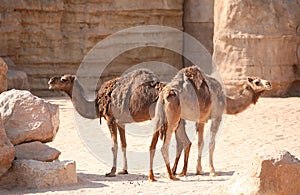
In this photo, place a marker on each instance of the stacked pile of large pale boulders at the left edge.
(26, 123)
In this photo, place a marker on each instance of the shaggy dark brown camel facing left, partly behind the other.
(126, 99)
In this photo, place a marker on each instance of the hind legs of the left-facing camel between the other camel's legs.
(182, 142)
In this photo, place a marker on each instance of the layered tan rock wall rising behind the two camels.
(247, 38)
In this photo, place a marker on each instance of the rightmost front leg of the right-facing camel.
(213, 132)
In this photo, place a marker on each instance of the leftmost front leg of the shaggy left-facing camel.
(113, 131)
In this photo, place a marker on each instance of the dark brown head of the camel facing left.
(64, 83)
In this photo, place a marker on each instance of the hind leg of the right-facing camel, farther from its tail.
(165, 149)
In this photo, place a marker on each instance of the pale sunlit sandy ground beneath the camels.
(273, 123)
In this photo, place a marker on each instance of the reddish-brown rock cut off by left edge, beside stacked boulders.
(7, 151)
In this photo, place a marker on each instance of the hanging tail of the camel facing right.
(161, 124)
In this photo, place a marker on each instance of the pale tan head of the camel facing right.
(258, 85)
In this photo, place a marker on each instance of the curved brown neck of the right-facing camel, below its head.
(240, 103)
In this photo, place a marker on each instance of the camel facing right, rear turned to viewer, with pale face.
(193, 95)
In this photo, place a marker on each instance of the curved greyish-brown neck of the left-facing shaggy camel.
(86, 108)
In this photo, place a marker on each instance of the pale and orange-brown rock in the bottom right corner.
(275, 174)
